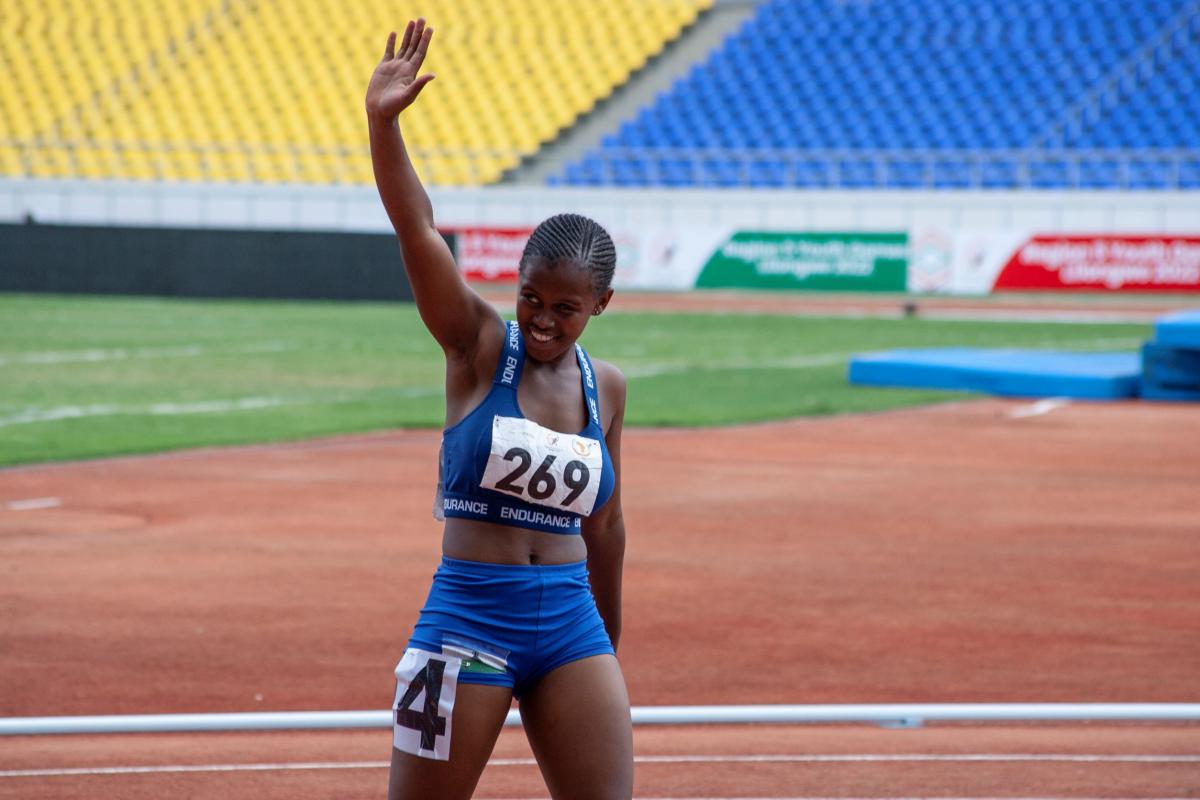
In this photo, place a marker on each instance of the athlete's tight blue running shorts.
(511, 624)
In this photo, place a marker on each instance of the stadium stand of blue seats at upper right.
(945, 94)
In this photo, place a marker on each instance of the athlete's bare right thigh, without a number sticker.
(578, 723)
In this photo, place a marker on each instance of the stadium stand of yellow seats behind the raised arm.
(271, 92)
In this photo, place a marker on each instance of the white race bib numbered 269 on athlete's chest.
(553, 470)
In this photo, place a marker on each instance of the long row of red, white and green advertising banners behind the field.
(943, 260)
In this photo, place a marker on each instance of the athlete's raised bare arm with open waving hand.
(454, 314)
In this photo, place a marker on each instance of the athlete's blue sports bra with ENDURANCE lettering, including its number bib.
(502, 468)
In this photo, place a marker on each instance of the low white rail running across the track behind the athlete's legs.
(890, 715)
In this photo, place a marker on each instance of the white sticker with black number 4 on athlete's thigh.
(424, 705)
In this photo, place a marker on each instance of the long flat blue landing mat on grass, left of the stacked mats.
(1012, 374)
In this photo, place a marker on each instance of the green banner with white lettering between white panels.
(829, 262)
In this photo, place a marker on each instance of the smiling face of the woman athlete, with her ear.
(555, 302)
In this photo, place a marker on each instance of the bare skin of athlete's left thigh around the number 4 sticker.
(479, 715)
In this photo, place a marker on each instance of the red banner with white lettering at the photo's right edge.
(1105, 263)
